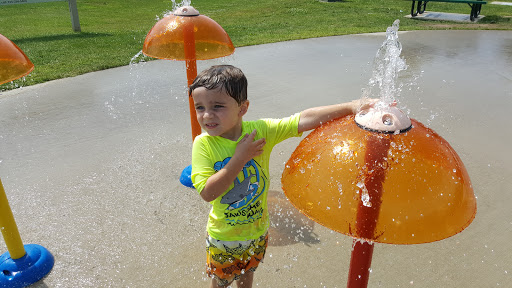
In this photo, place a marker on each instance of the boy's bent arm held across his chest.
(219, 182)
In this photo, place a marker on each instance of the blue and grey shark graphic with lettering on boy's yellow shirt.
(243, 200)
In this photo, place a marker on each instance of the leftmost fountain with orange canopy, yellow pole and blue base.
(22, 265)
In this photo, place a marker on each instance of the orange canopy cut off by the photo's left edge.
(13, 62)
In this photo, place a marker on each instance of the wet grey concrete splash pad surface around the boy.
(96, 159)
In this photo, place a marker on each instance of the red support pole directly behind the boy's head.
(190, 56)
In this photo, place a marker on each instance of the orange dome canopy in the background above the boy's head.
(170, 36)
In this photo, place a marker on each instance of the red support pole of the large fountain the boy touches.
(377, 148)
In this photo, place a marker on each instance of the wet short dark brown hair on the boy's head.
(226, 77)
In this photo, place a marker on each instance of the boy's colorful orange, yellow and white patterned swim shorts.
(228, 260)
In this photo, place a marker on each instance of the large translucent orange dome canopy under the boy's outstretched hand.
(423, 193)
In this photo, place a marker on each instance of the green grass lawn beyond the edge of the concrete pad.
(113, 31)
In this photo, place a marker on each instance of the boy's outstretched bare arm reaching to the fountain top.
(312, 118)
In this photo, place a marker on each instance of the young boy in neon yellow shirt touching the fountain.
(230, 168)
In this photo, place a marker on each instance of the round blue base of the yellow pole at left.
(27, 270)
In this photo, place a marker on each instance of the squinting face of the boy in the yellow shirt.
(218, 113)
